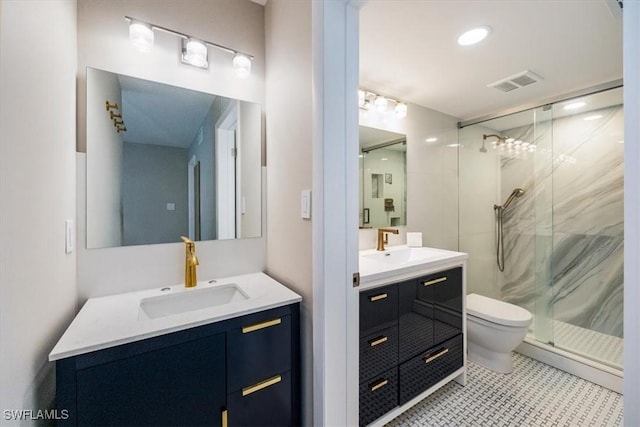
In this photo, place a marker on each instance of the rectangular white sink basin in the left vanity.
(185, 300)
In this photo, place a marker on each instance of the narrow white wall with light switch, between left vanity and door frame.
(289, 125)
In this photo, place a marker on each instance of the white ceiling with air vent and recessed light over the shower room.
(408, 50)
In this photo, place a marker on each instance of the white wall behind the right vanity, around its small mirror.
(432, 175)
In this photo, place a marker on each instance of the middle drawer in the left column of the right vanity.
(378, 352)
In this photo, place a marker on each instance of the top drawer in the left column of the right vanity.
(378, 308)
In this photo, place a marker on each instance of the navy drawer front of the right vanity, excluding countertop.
(410, 339)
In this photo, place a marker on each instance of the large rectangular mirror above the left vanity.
(165, 162)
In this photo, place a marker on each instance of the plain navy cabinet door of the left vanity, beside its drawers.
(178, 385)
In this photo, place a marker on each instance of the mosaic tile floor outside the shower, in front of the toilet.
(535, 394)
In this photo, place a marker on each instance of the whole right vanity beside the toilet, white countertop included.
(412, 323)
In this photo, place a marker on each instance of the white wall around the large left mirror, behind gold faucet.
(103, 42)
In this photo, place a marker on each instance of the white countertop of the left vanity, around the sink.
(114, 320)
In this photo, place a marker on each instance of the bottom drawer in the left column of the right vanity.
(378, 396)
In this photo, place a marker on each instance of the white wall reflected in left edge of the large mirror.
(105, 225)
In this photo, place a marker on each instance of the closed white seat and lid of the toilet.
(495, 311)
